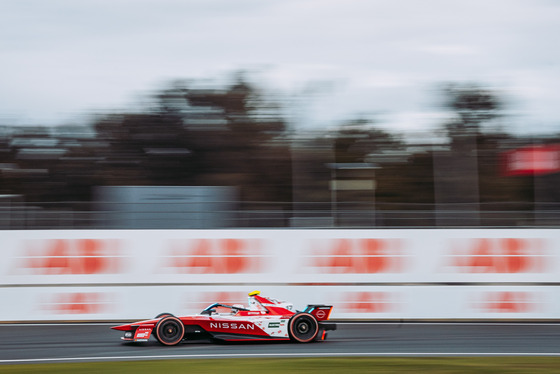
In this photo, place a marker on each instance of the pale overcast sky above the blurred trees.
(61, 59)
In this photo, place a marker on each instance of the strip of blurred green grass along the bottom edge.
(306, 365)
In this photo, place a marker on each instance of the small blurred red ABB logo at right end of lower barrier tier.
(508, 302)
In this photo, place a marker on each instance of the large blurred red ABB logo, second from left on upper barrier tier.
(217, 256)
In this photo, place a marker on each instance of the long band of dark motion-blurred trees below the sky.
(238, 134)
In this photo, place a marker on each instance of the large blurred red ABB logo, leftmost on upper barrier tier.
(72, 256)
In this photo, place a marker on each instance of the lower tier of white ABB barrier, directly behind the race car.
(111, 303)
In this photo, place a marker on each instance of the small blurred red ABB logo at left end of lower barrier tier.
(78, 303)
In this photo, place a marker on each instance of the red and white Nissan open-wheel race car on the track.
(265, 319)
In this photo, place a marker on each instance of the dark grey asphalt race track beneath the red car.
(94, 342)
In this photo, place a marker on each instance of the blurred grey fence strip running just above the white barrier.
(268, 215)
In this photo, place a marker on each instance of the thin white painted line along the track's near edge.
(265, 355)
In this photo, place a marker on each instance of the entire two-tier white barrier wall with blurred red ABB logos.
(381, 274)
